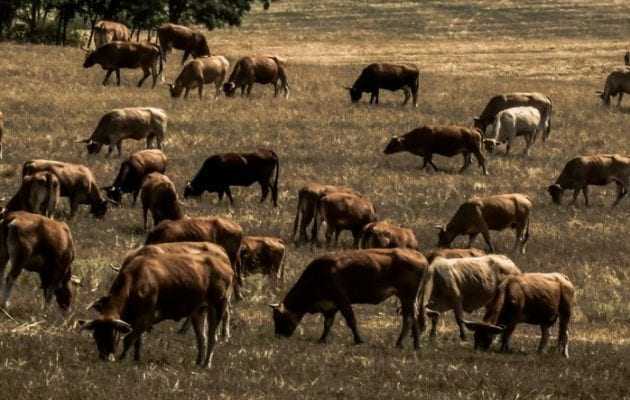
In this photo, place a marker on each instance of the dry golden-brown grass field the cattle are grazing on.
(467, 52)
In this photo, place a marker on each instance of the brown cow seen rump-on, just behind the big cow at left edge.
(39, 193)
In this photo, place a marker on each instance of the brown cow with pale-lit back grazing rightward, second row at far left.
(76, 182)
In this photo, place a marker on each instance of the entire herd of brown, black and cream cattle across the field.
(188, 268)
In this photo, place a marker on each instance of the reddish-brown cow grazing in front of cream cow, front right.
(536, 299)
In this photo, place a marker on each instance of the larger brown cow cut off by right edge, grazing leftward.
(598, 170)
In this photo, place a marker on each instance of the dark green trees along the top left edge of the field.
(58, 21)
